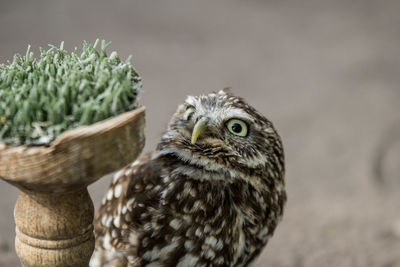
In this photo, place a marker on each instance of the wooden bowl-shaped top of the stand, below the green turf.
(78, 157)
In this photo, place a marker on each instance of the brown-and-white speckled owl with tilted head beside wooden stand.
(211, 194)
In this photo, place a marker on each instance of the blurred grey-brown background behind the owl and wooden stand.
(327, 73)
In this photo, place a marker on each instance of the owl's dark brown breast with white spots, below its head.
(204, 221)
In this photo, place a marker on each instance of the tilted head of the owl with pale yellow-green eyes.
(220, 132)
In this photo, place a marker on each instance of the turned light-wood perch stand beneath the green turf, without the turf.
(54, 212)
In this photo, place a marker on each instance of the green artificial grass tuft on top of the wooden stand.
(41, 98)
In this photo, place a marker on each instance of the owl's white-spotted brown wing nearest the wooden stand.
(131, 198)
